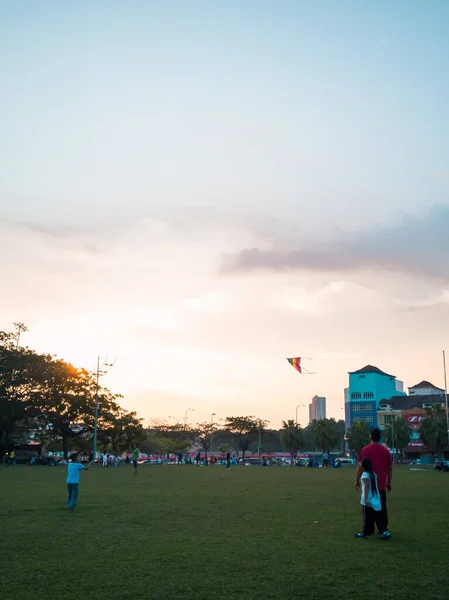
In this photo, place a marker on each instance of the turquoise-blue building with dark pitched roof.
(367, 387)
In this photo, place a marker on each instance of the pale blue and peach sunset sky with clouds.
(202, 189)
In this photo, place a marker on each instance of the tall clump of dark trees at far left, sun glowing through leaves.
(49, 397)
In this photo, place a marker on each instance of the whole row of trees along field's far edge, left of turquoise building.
(46, 399)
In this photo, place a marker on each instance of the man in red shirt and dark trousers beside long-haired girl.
(383, 467)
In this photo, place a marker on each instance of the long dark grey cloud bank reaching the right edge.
(413, 245)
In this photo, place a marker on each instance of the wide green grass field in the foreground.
(204, 533)
